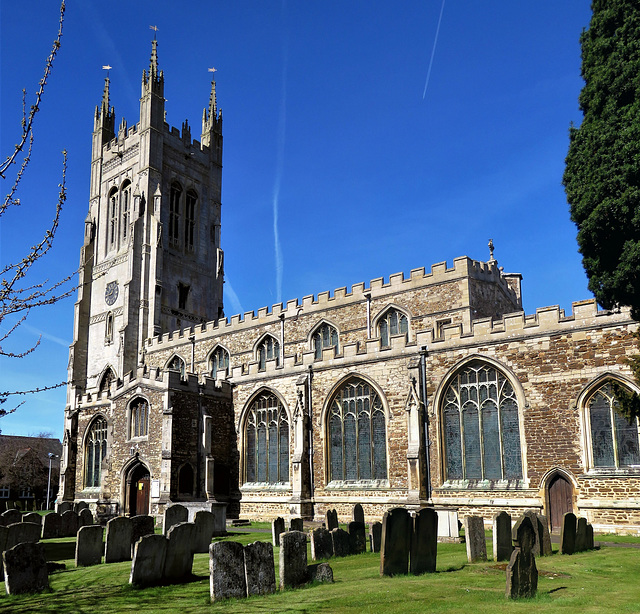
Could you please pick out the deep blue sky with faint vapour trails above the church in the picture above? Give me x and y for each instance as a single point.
(327, 129)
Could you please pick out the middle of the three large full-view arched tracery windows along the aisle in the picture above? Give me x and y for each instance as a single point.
(357, 433)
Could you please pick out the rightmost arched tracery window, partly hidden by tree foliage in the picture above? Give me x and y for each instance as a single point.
(614, 440)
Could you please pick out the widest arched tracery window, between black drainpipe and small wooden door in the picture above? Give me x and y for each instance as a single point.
(481, 425)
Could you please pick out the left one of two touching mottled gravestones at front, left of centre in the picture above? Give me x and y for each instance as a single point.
(226, 571)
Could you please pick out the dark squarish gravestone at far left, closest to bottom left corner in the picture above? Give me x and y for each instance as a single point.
(25, 569)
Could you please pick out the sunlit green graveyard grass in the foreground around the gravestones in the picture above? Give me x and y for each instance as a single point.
(596, 581)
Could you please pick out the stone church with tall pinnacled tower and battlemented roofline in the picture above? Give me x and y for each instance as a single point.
(432, 389)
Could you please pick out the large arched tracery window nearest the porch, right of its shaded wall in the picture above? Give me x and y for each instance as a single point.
(266, 441)
